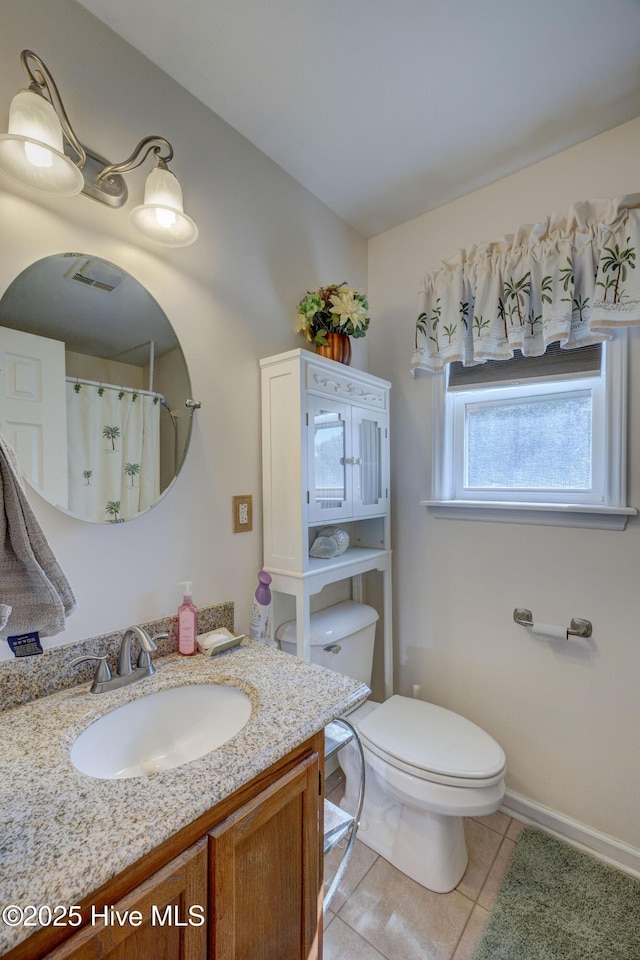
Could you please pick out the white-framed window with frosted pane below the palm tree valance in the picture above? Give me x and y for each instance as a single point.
(534, 440)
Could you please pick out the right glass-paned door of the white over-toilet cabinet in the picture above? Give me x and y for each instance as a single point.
(370, 445)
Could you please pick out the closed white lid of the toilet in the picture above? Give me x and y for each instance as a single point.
(431, 739)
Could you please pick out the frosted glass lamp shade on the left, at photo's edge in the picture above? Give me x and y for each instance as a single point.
(32, 151)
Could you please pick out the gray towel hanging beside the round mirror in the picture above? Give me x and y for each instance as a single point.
(34, 592)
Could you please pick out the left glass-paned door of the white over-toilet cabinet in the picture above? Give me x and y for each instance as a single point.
(330, 469)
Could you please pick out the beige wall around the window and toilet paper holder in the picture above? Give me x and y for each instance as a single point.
(567, 718)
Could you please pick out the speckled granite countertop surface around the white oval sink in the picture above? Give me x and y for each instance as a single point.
(64, 834)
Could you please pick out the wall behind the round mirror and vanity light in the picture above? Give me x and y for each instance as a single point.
(231, 298)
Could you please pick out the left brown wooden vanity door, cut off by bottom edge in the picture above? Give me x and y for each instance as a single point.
(162, 919)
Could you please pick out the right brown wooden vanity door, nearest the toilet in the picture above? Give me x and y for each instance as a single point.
(264, 873)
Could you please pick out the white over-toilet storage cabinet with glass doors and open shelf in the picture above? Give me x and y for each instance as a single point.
(325, 461)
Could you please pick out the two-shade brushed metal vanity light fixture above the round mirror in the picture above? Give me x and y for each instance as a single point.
(42, 151)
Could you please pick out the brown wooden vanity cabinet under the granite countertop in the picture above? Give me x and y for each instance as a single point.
(253, 862)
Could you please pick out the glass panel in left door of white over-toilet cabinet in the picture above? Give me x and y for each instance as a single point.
(329, 447)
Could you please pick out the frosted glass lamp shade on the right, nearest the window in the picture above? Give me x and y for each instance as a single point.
(161, 216)
